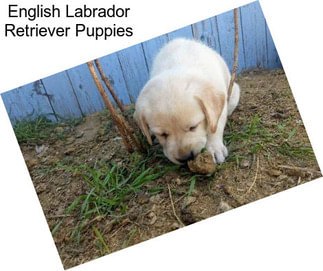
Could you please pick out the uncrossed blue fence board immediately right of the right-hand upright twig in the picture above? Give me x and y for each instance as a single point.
(254, 36)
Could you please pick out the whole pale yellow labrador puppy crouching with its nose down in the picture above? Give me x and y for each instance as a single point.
(184, 103)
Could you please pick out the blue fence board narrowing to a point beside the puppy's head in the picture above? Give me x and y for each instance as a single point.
(134, 69)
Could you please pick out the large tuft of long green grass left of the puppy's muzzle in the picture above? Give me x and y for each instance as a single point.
(108, 185)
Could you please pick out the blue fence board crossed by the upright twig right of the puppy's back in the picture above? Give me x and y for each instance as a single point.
(225, 23)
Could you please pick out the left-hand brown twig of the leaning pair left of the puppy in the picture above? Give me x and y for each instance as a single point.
(114, 115)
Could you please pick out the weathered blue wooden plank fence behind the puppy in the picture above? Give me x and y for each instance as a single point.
(72, 93)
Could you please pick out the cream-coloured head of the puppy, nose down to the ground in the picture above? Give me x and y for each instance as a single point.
(180, 111)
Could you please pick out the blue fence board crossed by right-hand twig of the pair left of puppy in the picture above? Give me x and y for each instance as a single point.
(111, 66)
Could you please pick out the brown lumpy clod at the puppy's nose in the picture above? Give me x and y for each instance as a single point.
(203, 163)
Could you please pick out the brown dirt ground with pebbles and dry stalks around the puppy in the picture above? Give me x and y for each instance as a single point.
(269, 152)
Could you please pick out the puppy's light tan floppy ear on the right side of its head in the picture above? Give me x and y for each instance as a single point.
(212, 104)
